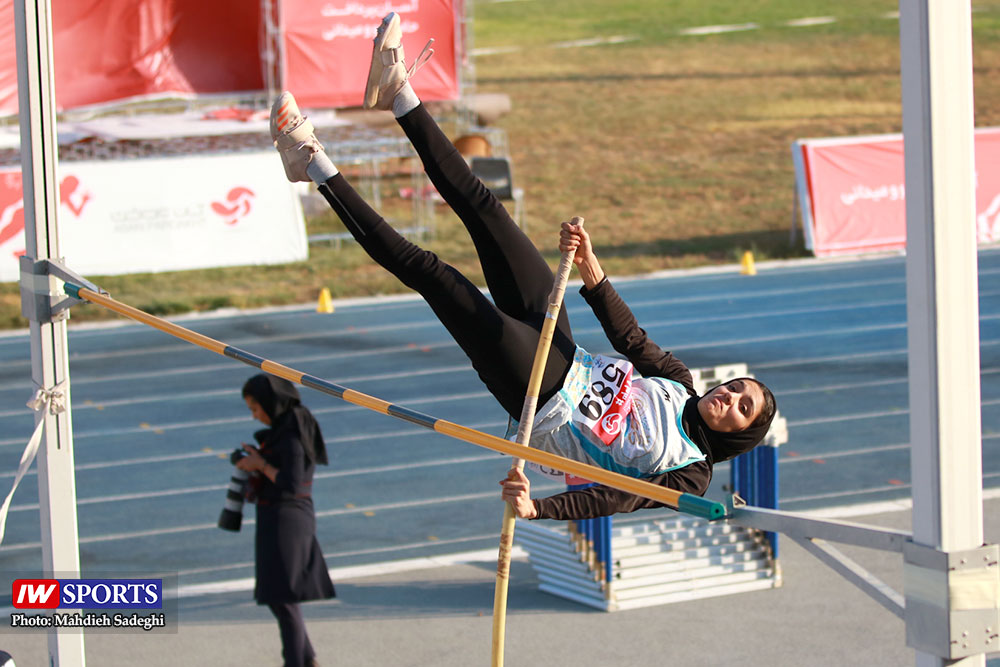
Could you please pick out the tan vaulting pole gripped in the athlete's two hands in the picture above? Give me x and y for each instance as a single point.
(523, 436)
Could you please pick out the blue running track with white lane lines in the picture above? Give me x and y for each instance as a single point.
(155, 418)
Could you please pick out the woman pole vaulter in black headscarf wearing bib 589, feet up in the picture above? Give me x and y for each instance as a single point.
(639, 416)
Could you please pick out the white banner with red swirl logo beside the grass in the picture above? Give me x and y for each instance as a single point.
(166, 214)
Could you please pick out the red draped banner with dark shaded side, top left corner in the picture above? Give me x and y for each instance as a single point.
(112, 50)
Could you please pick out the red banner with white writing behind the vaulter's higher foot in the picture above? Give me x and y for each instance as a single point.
(328, 48)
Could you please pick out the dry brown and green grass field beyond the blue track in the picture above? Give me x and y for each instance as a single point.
(674, 147)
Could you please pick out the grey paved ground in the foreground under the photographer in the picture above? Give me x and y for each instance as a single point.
(442, 617)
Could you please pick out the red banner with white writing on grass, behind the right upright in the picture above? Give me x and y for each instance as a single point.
(852, 192)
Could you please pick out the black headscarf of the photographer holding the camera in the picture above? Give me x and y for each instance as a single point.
(280, 401)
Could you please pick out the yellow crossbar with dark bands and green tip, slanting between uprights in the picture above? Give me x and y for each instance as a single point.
(684, 502)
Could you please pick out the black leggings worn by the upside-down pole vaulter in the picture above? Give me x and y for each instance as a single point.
(500, 340)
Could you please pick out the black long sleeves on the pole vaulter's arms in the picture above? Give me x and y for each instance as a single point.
(649, 359)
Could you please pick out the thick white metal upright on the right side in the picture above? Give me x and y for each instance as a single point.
(942, 292)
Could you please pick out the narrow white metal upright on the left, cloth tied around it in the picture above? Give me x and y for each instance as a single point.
(49, 365)
